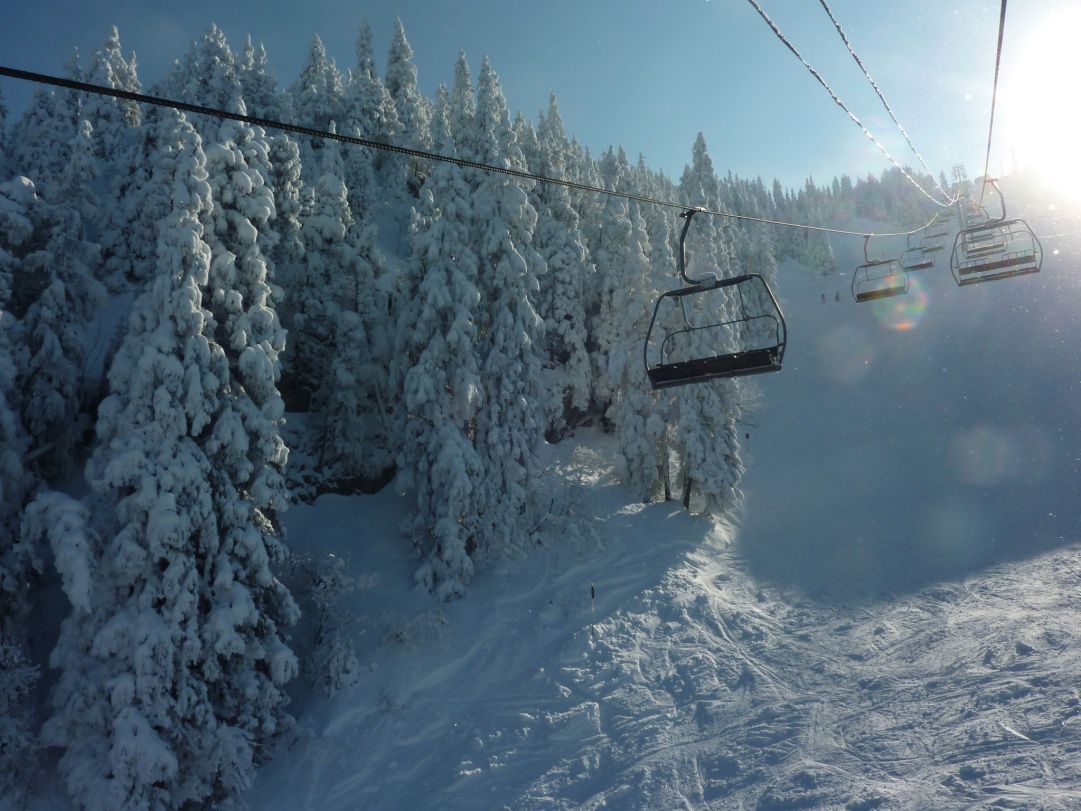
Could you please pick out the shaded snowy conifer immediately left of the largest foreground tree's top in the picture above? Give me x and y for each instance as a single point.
(56, 324)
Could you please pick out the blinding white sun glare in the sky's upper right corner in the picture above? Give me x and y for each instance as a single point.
(1042, 119)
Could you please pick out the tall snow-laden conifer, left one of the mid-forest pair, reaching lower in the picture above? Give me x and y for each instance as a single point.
(442, 388)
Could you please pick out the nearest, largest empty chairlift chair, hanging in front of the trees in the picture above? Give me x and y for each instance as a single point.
(714, 329)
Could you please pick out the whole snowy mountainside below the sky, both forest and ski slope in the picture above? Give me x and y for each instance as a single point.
(314, 460)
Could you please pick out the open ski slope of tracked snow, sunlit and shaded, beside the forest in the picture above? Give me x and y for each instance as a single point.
(892, 624)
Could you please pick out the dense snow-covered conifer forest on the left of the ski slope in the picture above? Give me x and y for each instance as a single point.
(205, 325)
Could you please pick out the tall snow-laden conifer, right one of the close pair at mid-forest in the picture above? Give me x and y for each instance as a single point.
(510, 426)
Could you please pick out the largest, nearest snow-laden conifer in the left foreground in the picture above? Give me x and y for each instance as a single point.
(172, 662)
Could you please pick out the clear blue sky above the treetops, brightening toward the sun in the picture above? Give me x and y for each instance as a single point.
(651, 74)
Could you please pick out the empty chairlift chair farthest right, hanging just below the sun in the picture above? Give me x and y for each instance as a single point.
(997, 249)
